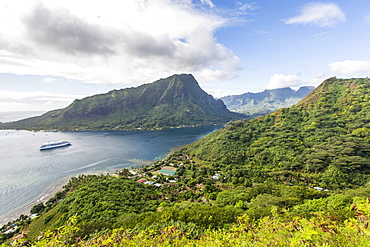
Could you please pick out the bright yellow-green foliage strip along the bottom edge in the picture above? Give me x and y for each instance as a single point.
(268, 231)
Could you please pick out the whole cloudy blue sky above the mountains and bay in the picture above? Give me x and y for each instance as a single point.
(52, 52)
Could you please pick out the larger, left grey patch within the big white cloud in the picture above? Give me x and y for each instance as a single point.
(67, 33)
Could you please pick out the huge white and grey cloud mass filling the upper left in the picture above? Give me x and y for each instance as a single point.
(113, 42)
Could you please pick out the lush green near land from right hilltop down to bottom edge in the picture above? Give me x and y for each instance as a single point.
(296, 177)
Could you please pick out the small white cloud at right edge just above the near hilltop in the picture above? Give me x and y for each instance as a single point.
(350, 68)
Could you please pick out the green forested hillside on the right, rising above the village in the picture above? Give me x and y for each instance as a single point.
(324, 139)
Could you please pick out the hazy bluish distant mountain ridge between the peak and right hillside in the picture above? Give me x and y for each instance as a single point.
(258, 104)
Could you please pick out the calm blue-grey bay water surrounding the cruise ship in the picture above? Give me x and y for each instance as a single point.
(25, 171)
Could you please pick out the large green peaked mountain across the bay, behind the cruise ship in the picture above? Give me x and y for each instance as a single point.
(171, 102)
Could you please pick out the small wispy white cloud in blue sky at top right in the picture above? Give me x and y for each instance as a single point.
(319, 14)
